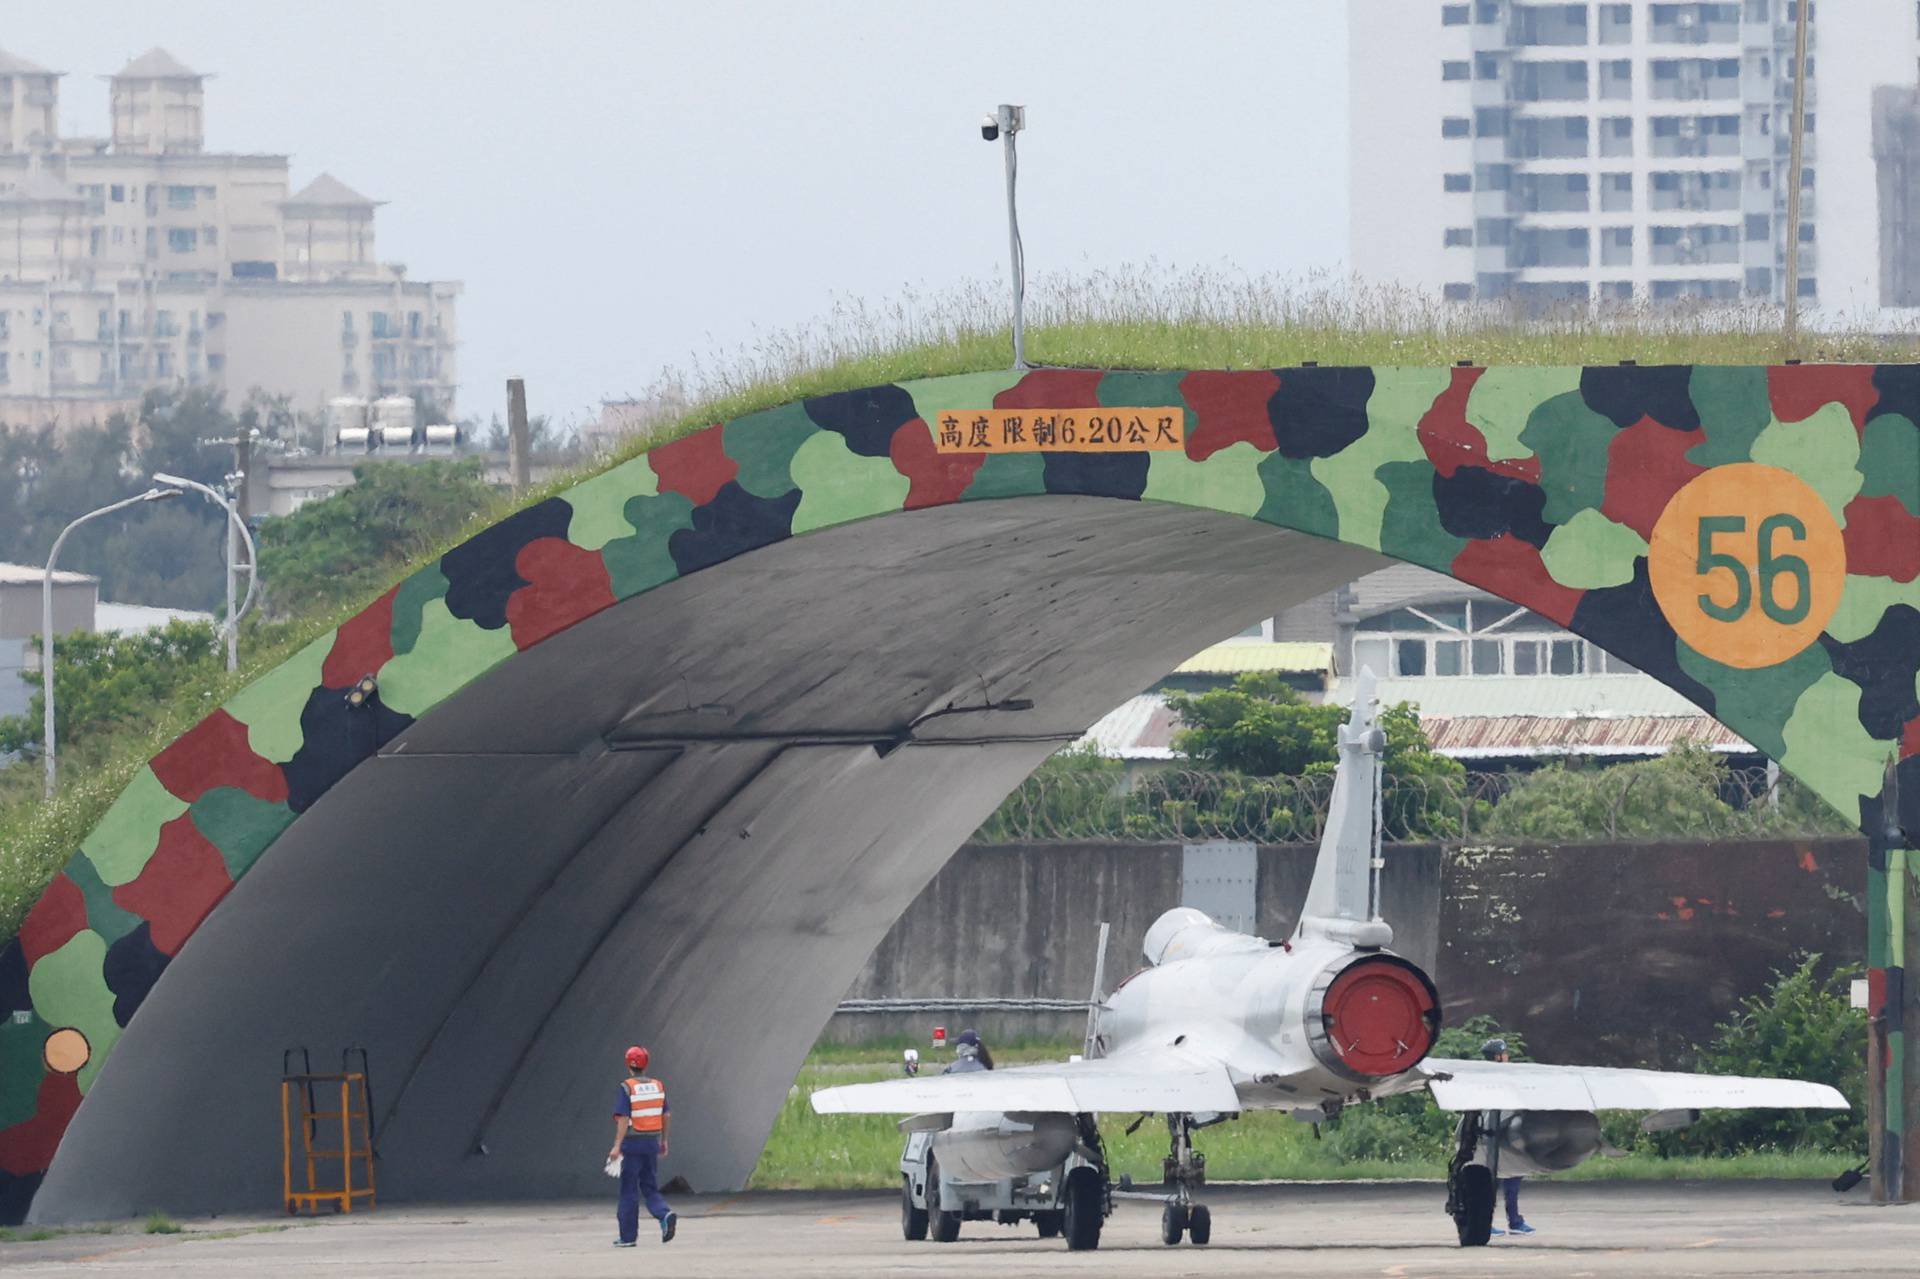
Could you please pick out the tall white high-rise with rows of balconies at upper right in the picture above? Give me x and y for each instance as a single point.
(1598, 153)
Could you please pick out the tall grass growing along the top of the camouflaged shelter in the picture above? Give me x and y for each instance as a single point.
(1136, 318)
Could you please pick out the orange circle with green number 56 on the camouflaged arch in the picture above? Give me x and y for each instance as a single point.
(1748, 566)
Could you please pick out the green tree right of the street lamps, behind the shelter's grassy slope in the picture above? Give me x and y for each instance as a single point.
(350, 544)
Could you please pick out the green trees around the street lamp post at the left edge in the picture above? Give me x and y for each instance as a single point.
(105, 683)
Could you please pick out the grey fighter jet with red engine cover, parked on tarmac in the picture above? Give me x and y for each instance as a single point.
(1222, 1023)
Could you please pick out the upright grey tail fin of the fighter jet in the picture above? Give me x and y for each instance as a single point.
(1343, 900)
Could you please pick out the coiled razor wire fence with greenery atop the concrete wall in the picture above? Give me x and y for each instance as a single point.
(1556, 806)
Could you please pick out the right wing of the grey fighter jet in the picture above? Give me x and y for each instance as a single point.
(1533, 1086)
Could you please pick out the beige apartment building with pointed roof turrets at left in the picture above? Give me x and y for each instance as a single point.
(147, 262)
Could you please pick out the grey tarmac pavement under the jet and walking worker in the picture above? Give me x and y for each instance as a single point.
(1337, 1230)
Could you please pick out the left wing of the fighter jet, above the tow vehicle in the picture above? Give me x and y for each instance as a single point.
(1151, 1082)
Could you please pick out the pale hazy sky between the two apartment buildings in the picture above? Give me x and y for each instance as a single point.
(627, 183)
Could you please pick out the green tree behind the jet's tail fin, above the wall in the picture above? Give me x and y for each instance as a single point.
(1264, 729)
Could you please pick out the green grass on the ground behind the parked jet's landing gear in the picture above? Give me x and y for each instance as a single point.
(863, 1151)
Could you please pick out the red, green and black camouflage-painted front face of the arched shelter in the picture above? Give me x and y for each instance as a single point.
(1539, 485)
